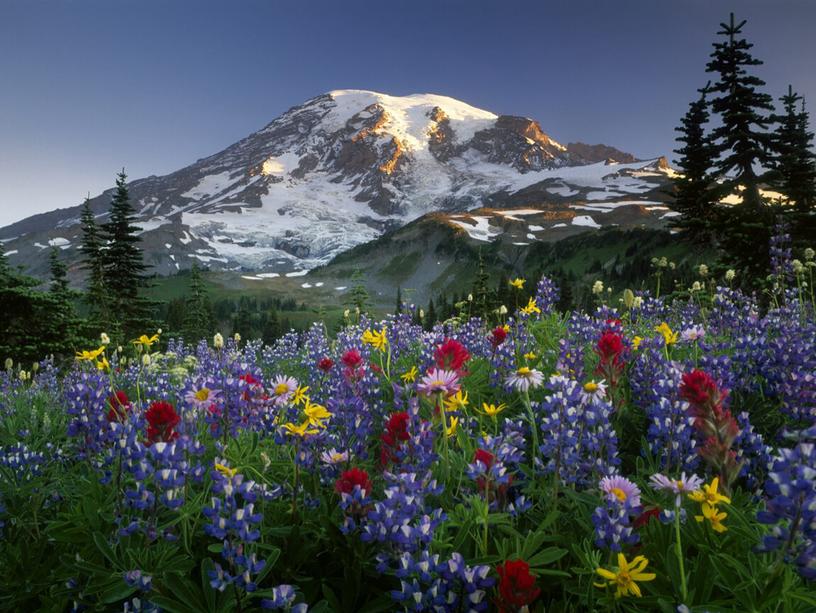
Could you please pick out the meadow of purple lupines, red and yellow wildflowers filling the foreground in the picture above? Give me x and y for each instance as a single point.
(652, 455)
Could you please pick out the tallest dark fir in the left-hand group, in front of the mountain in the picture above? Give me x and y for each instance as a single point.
(124, 267)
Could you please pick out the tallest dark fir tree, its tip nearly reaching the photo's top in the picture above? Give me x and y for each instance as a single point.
(741, 139)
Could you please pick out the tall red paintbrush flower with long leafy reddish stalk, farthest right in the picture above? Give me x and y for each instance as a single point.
(713, 422)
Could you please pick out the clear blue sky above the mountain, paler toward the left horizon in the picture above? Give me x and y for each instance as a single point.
(90, 86)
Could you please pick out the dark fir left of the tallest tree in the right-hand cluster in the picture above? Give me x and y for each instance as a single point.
(694, 193)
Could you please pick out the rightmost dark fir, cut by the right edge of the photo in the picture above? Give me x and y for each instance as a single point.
(795, 167)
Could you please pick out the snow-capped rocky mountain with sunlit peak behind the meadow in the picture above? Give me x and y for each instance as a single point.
(339, 170)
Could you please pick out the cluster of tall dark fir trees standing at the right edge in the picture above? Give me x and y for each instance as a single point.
(746, 166)
